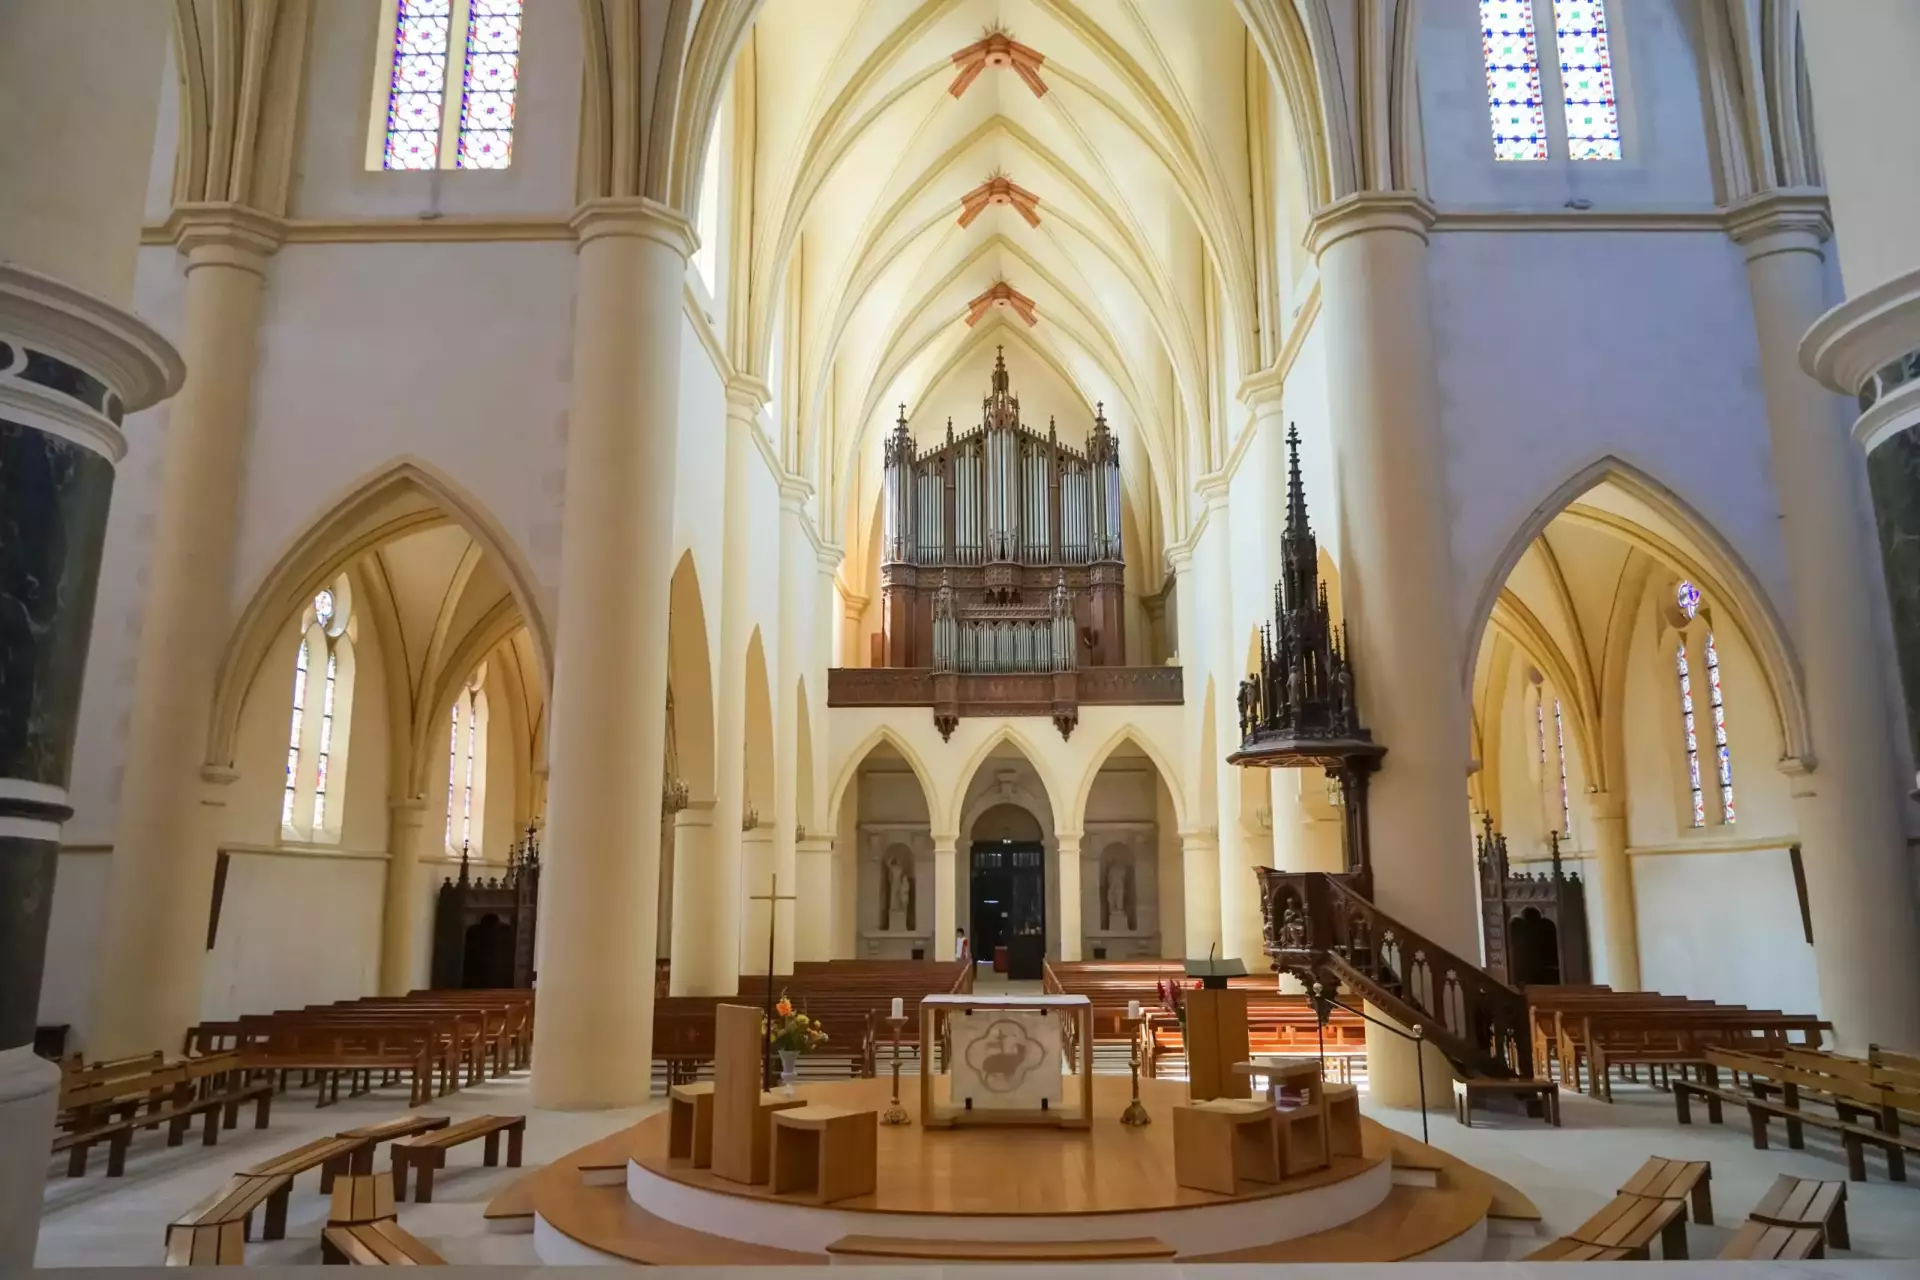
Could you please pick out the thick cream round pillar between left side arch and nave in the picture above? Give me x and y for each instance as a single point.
(602, 876)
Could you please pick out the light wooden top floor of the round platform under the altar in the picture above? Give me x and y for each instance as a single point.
(1107, 1168)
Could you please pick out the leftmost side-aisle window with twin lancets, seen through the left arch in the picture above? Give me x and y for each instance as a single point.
(316, 746)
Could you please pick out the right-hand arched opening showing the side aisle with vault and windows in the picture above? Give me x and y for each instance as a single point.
(1631, 703)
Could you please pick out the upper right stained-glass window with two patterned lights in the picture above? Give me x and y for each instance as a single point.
(1579, 64)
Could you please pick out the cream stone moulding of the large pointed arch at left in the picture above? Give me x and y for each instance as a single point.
(404, 496)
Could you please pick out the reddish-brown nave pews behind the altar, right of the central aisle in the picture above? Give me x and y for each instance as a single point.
(1276, 1024)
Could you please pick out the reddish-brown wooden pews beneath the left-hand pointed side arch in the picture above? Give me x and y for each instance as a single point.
(435, 1039)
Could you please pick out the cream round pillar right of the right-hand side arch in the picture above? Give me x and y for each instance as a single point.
(1850, 807)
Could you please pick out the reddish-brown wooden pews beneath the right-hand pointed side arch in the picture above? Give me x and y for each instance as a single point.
(1587, 1035)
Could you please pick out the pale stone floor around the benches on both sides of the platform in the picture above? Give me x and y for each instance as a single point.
(1570, 1173)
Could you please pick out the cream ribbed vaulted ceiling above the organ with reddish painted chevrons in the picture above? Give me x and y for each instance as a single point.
(932, 179)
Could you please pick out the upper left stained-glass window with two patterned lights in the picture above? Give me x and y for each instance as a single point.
(425, 122)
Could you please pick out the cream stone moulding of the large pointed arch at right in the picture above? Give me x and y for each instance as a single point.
(1712, 561)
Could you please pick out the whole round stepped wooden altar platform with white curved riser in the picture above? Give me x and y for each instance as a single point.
(1042, 1187)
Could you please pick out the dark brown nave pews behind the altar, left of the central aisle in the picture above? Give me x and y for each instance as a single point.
(848, 997)
